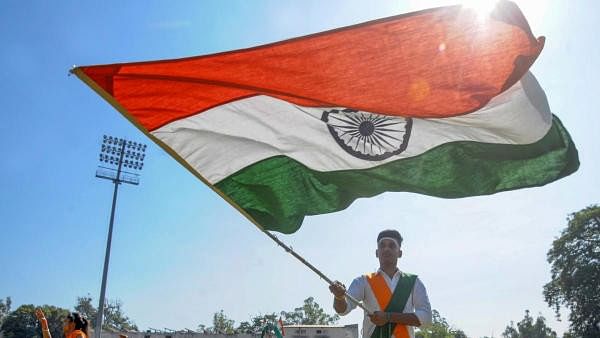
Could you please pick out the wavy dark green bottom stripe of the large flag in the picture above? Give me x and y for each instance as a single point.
(279, 191)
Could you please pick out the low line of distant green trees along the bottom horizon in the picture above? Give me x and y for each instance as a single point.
(22, 322)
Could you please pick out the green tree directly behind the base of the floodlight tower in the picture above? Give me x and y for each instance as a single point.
(114, 318)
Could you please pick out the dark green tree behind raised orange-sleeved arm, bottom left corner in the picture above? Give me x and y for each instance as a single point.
(23, 323)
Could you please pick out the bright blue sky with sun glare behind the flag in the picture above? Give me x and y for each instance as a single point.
(180, 253)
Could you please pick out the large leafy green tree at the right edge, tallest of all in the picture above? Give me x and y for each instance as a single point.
(575, 267)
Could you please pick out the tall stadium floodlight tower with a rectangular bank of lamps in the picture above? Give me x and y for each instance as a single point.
(116, 155)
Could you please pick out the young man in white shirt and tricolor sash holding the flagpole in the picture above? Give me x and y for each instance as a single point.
(399, 300)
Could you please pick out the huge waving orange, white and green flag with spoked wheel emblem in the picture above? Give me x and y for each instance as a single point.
(437, 102)
